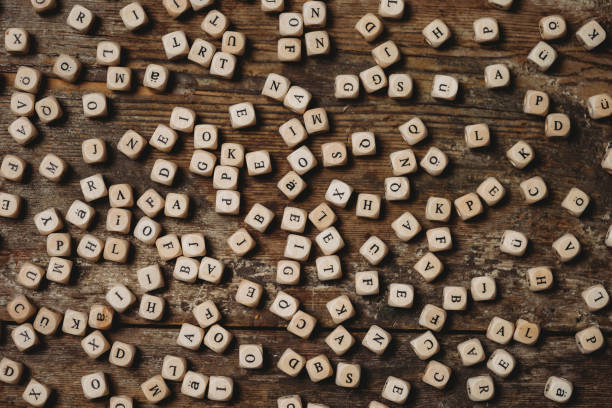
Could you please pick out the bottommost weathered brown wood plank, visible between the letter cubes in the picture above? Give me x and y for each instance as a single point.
(554, 355)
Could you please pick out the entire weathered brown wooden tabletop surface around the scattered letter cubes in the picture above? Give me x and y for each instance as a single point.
(60, 362)
